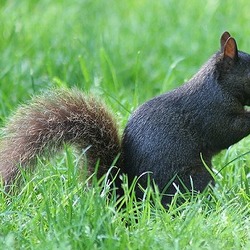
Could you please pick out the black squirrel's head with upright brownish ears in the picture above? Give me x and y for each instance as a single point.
(233, 68)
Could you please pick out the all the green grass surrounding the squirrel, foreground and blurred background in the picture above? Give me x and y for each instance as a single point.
(124, 52)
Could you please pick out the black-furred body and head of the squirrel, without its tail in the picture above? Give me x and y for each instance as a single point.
(167, 135)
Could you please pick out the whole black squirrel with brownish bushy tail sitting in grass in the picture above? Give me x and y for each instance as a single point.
(164, 137)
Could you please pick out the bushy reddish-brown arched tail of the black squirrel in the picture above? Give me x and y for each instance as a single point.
(58, 117)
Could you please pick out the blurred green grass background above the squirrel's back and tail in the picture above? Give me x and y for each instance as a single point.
(130, 50)
